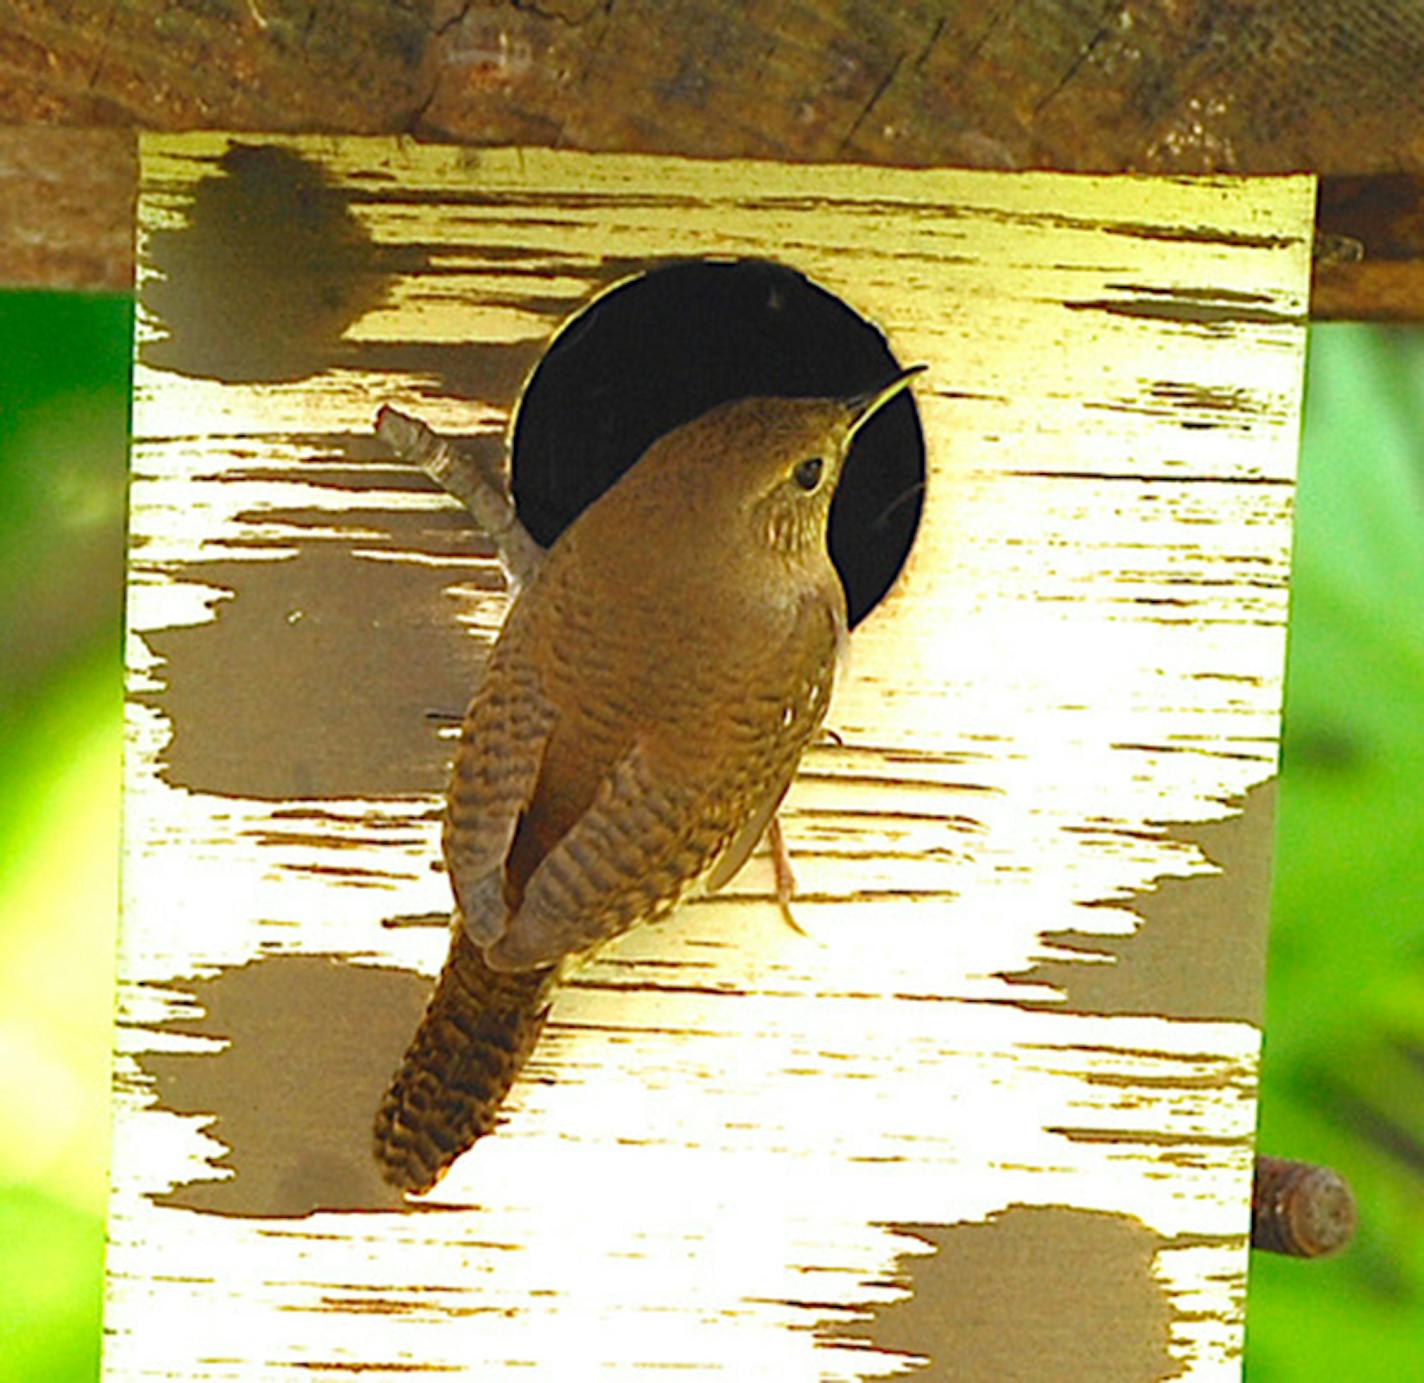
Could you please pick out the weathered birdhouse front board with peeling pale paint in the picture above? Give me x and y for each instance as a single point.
(993, 1116)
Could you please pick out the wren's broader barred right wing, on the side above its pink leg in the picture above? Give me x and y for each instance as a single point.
(650, 835)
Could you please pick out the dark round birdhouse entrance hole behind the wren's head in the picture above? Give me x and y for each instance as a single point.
(664, 348)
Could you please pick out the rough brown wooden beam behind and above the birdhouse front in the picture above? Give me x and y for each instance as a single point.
(1197, 86)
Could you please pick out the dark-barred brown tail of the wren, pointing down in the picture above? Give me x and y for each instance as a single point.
(478, 1033)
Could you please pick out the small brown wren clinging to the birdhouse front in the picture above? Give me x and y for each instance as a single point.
(640, 721)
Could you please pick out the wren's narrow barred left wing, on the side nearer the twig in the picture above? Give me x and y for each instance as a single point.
(496, 771)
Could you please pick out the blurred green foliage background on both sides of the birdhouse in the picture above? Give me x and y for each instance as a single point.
(1345, 1050)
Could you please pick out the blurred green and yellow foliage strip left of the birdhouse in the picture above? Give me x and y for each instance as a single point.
(63, 474)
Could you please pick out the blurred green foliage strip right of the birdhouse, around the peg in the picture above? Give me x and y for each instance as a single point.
(1344, 1079)
